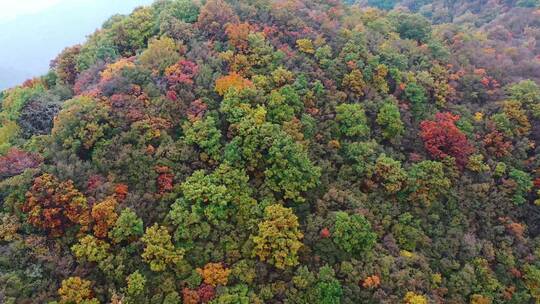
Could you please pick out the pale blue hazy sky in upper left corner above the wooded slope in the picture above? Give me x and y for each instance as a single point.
(33, 32)
